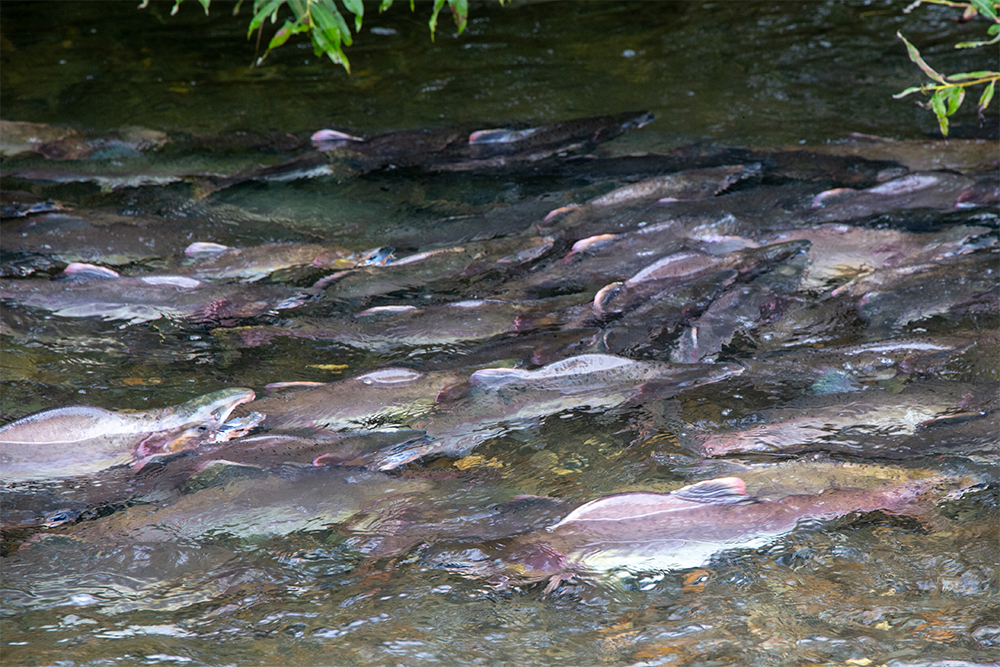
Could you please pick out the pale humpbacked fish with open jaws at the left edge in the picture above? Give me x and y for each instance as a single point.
(82, 440)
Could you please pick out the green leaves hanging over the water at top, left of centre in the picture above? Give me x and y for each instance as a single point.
(324, 21)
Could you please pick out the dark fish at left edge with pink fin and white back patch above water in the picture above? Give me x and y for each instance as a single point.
(91, 291)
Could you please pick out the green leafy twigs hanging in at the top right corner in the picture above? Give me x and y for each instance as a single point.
(948, 91)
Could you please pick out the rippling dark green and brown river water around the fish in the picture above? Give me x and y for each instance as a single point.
(870, 589)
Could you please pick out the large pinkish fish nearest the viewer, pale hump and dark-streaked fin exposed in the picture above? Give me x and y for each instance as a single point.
(646, 532)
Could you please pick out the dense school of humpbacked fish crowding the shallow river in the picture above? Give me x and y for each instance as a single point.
(855, 290)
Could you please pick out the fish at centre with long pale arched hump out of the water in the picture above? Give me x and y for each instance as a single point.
(497, 400)
